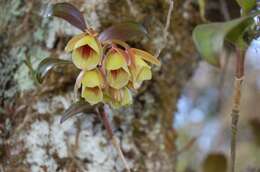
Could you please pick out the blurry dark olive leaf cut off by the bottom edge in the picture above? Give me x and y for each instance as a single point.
(215, 162)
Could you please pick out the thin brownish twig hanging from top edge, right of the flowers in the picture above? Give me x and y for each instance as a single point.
(166, 28)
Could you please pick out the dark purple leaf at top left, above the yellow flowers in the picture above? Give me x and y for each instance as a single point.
(69, 13)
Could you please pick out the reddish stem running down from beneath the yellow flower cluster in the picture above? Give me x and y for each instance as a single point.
(114, 141)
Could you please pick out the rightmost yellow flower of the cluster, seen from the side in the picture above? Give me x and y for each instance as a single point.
(139, 69)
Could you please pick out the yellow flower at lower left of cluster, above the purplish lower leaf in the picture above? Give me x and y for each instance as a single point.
(92, 83)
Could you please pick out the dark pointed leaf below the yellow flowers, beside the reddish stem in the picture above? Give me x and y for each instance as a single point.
(75, 108)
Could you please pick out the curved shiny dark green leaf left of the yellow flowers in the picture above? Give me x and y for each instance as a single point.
(46, 65)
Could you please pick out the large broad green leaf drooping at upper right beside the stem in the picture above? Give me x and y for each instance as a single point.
(209, 38)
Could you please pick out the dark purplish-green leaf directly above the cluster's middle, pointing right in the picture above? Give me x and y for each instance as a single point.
(123, 31)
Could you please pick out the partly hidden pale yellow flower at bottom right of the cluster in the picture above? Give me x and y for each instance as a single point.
(118, 97)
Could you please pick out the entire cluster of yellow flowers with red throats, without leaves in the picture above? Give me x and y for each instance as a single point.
(109, 69)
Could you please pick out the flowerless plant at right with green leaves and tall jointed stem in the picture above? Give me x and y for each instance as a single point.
(210, 40)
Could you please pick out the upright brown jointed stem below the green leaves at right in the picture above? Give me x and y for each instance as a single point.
(239, 77)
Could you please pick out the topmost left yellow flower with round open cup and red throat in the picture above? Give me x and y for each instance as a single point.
(86, 51)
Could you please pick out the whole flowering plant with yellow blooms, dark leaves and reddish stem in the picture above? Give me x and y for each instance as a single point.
(109, 67)
